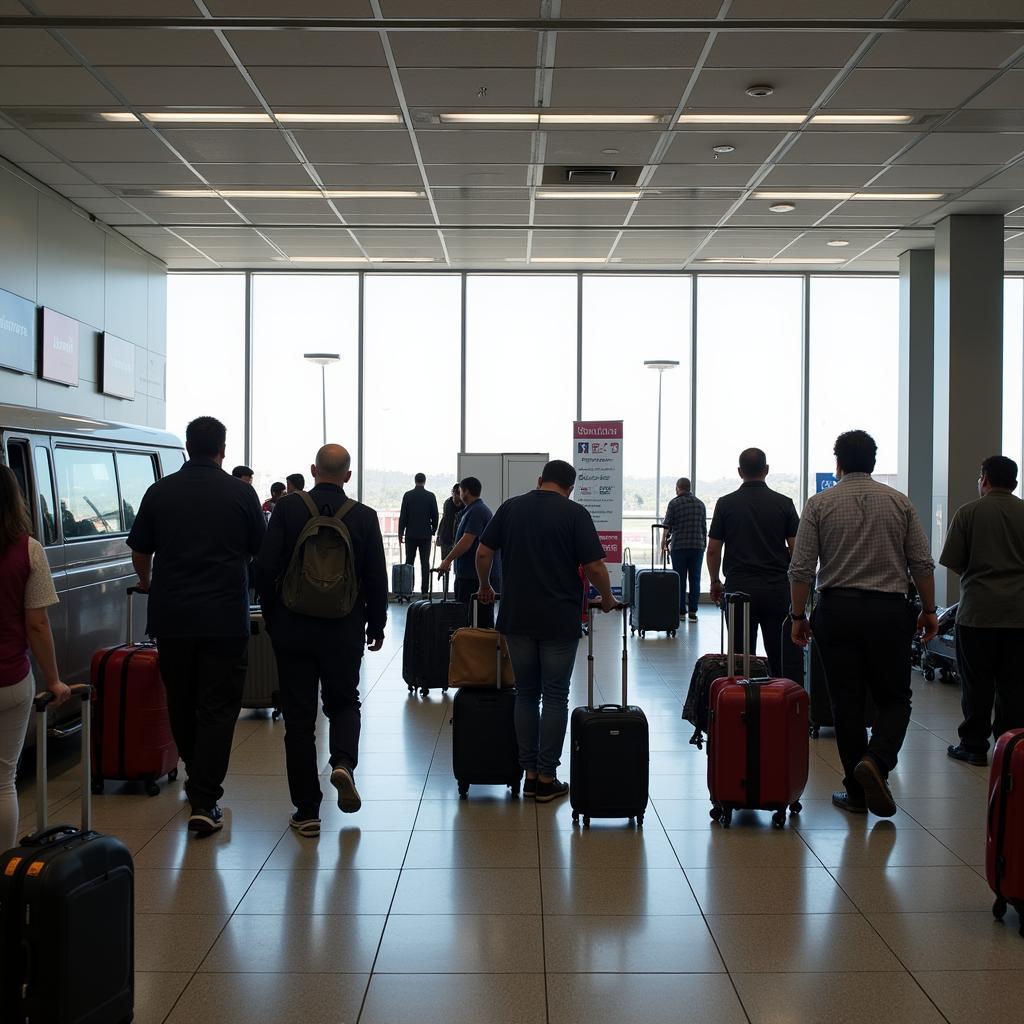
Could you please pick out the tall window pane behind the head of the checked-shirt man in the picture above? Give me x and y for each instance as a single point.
(855, 370)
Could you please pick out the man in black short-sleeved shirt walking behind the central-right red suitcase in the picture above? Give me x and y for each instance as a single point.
(757, 527)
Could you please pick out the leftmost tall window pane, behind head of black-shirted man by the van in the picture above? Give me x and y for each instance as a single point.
(206, 354)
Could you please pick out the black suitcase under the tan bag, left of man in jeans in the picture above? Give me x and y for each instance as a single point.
(485, 748)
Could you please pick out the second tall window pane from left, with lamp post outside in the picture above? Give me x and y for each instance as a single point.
(294, 315)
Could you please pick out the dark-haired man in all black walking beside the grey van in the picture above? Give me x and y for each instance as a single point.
(192, 541)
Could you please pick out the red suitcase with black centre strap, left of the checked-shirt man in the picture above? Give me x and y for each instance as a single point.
(758, 739)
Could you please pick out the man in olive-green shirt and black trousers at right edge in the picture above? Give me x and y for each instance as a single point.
(986, 546)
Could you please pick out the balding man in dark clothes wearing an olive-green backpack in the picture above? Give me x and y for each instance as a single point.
(323, 583)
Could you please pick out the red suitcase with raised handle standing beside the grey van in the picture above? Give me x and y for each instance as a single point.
(132, 740)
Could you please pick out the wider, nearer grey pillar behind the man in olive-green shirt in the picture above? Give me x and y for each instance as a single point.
(968, 414)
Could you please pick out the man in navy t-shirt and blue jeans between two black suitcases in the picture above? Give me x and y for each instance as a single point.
(543, 538)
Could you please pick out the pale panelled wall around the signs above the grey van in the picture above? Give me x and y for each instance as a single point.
(54, 255)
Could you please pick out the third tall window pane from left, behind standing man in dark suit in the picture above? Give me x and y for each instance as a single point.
(412, 386)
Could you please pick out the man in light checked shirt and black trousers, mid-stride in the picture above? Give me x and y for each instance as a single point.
(862, 538)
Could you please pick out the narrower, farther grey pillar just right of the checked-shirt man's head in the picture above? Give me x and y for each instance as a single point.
(917, 376)
